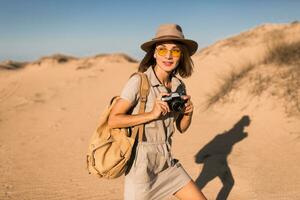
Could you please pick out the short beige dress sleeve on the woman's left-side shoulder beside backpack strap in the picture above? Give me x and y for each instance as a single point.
(130, 91)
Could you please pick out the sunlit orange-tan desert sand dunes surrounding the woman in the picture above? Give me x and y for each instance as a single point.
(49, 109)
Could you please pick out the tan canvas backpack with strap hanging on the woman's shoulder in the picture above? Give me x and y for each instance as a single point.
(110, 149)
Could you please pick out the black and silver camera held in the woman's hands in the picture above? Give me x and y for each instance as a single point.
(175, 101)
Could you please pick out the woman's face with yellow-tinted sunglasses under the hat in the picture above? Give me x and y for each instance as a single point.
(167, 56)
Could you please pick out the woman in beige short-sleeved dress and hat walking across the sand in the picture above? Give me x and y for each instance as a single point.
(155, 174)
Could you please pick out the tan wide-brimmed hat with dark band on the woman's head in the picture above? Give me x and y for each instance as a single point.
(170, 32)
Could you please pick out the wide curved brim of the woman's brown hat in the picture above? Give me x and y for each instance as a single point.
(191, 44)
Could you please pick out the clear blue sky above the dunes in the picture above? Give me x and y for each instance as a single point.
(34, 28)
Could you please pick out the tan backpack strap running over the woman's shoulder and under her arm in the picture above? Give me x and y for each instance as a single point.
(144, 91)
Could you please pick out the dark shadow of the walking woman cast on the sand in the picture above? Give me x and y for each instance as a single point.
(214, 157)
